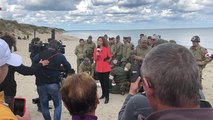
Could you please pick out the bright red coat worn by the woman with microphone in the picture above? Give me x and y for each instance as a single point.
(101, 65)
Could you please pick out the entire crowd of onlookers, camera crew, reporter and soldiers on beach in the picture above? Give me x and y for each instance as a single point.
(157, 66)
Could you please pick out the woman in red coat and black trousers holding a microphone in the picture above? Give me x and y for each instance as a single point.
(102, 59)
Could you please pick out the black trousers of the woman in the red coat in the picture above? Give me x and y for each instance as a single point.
(104, 80)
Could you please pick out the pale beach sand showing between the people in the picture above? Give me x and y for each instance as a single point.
(26, 84)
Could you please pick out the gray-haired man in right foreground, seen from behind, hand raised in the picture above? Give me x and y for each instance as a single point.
(170, 78)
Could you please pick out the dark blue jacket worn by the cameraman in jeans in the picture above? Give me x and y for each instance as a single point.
(51, 73)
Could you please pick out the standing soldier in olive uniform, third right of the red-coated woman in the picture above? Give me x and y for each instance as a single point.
(126, 49)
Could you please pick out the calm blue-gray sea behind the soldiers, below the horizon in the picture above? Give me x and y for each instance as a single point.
(181, 35)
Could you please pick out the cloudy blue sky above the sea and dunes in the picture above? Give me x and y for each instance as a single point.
(110, 14)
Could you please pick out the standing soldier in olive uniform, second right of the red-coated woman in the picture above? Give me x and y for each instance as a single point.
(118, 49)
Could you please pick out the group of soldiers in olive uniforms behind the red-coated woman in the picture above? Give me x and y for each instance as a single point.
(126, 58)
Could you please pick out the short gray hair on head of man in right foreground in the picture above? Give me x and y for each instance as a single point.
(173, 73)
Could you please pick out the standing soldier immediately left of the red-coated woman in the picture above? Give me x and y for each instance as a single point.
(90, 45)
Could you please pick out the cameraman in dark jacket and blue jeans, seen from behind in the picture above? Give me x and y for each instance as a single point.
(48, 78)
